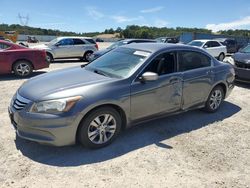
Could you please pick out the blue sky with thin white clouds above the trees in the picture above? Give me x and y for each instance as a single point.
(97, 15)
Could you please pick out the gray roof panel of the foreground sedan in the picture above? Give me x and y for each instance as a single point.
(154, 47)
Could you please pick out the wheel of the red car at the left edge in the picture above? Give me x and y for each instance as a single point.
(22, 68)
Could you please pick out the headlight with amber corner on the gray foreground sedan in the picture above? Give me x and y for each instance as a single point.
(55, 106)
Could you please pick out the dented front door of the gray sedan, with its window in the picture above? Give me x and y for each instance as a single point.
(159, 96)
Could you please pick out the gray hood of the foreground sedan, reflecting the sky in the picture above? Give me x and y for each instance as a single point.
(63, 83)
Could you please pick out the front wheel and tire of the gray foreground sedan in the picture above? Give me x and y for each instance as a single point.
(99, 128)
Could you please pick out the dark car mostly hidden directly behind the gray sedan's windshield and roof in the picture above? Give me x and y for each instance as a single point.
(99, 53)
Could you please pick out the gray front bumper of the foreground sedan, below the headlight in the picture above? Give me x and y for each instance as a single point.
(44, 128)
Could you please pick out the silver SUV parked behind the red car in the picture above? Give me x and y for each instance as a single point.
(69, 47)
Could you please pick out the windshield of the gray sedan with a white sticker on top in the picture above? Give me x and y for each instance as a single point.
(119, 63)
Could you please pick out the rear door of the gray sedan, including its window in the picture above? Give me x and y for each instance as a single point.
(197, 77)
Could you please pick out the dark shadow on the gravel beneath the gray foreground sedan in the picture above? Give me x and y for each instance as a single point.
(153, 132)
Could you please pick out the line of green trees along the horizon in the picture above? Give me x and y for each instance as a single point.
(131, 31)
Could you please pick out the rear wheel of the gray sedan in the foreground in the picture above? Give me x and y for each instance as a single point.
(215, 99)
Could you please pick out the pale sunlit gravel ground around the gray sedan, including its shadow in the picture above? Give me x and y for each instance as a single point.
(193, 149)
